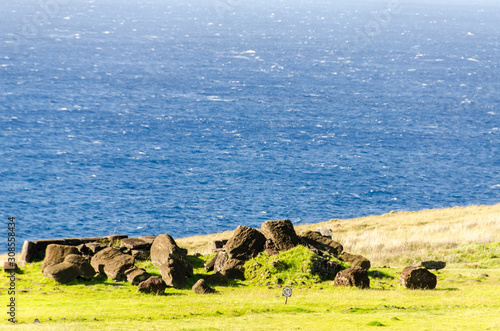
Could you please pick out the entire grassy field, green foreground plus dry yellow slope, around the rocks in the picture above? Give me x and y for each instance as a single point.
(467, 296)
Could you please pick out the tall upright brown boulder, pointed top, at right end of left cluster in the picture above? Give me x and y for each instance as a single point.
(172, 261)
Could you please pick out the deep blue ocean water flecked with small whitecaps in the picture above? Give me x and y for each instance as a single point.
(149, 117)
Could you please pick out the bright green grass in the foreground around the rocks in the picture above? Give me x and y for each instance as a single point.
(465, 298)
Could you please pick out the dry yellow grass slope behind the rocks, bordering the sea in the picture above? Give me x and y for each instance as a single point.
(397, 237)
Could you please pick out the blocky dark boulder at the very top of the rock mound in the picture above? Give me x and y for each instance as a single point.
(281, 233)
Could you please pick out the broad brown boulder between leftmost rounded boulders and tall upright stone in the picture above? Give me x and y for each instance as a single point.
(113, 263)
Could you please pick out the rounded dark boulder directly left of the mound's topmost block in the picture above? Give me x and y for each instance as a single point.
(245, 243)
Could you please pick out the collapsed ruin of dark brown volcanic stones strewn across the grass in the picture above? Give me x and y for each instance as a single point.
(65, 260)
